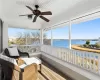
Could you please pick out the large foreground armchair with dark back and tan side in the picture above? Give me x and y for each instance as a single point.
(14, 72)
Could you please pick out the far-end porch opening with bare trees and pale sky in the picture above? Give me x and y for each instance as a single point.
(19, 36)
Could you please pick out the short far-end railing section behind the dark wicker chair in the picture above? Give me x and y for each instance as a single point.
(28, 48)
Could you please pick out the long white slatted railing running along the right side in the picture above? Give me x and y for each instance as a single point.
(86, 60)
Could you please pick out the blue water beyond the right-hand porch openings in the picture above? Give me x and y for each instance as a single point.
(65, 43)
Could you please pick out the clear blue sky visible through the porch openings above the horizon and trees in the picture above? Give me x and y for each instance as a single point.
(84, 30)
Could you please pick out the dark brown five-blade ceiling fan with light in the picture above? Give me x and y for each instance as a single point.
(37, 13)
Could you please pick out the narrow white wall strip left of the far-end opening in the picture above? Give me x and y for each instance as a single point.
(5, 35)
